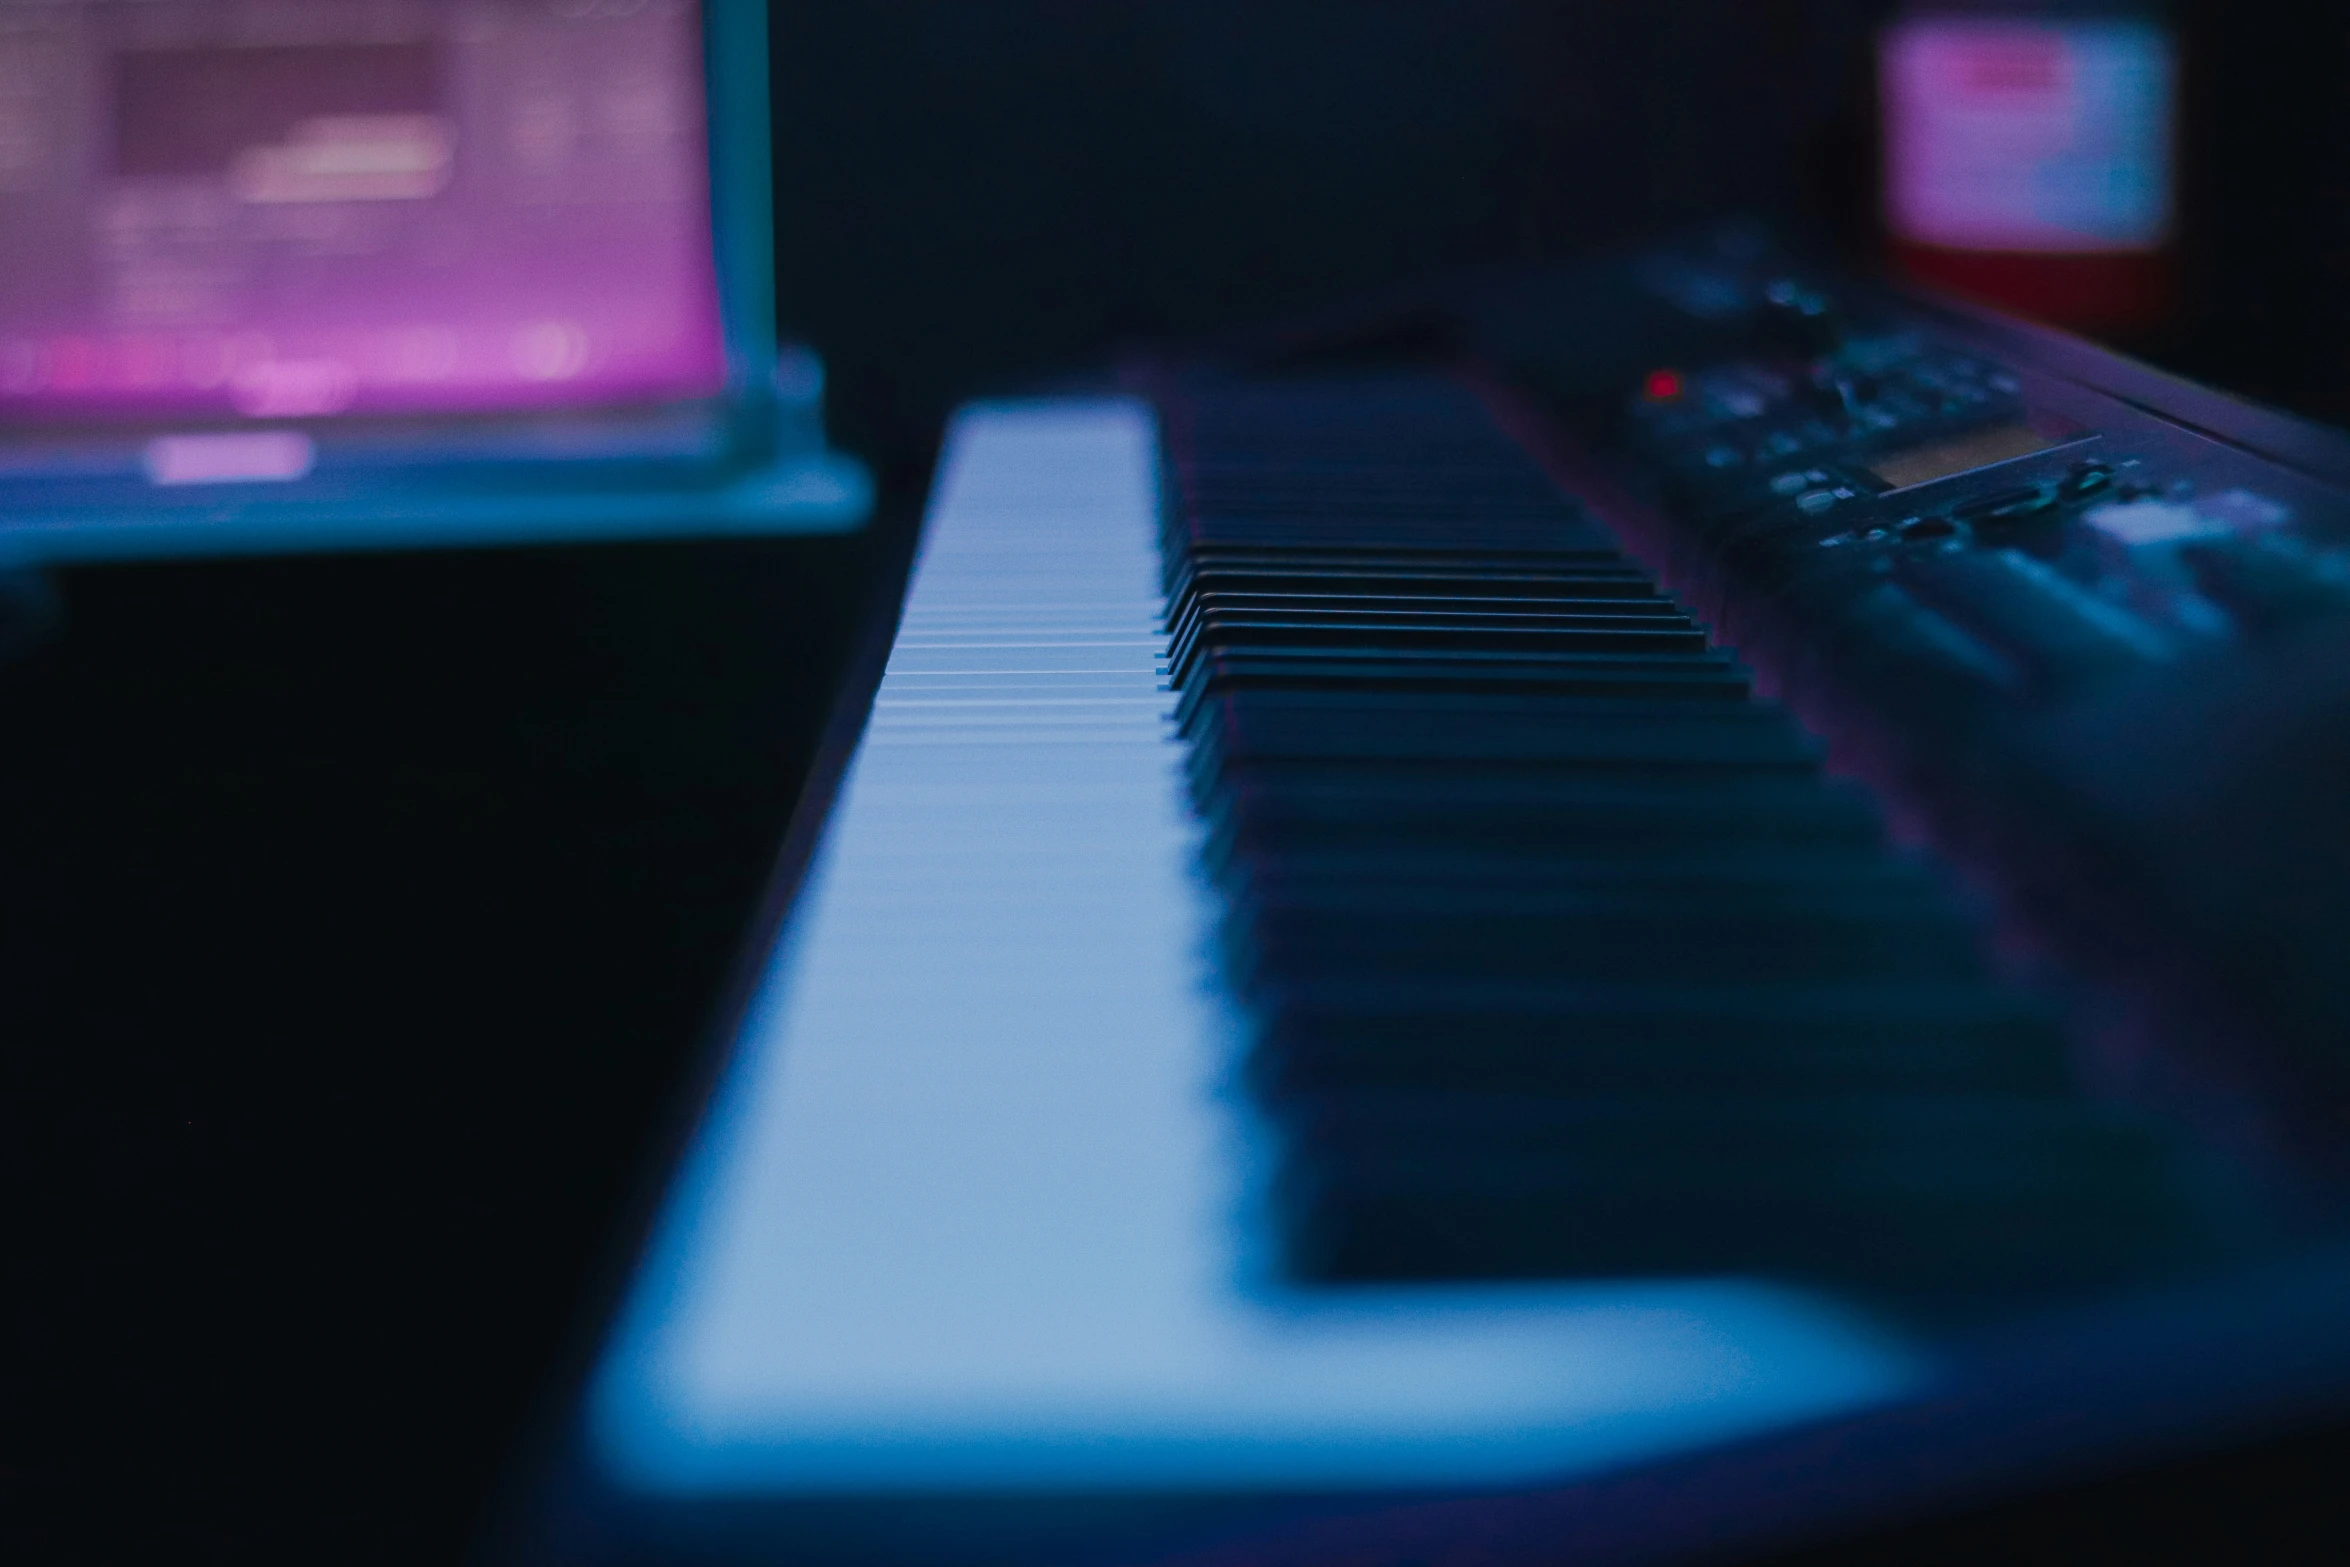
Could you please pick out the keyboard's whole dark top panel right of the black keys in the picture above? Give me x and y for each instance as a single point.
(2076, 621)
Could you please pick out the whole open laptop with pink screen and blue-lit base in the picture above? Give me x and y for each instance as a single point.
(394, 274)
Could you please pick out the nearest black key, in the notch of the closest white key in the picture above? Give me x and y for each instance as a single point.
(1876, 1190)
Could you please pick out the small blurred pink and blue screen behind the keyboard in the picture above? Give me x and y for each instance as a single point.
(2029, 135)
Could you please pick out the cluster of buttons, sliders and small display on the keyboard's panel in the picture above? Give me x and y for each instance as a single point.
(2060, 534)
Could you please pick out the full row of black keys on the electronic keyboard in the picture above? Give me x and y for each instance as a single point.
(1564, 955)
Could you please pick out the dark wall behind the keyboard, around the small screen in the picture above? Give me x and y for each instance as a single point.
(988, 189)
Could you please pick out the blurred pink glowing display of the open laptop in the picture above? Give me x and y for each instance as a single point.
(351, 208)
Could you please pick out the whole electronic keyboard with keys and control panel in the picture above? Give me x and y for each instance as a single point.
(1411, 960)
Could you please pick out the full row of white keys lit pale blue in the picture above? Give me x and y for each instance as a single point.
(976, 1202)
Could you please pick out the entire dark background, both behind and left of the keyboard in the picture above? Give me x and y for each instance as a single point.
(361, 920)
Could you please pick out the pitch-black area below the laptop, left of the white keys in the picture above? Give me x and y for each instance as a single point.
(361, 924)
